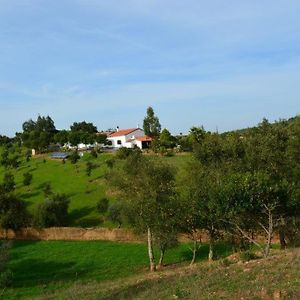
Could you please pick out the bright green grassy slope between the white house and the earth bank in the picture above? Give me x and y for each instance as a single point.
(84, 191)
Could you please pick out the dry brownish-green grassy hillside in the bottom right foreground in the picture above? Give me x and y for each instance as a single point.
(277, 277)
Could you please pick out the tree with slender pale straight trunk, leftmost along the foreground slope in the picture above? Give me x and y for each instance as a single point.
(147, 188)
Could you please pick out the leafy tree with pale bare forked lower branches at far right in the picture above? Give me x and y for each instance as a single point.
(253, 202)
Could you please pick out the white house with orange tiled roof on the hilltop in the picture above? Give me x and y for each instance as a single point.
(129, 138)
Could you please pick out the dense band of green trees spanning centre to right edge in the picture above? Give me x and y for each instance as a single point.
(238, 186)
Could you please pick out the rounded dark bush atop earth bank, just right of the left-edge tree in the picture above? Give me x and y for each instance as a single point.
(53, 212)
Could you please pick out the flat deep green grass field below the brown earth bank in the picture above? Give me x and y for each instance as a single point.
(45, 266)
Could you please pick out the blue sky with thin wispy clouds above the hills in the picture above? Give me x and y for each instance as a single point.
(221, 64)
